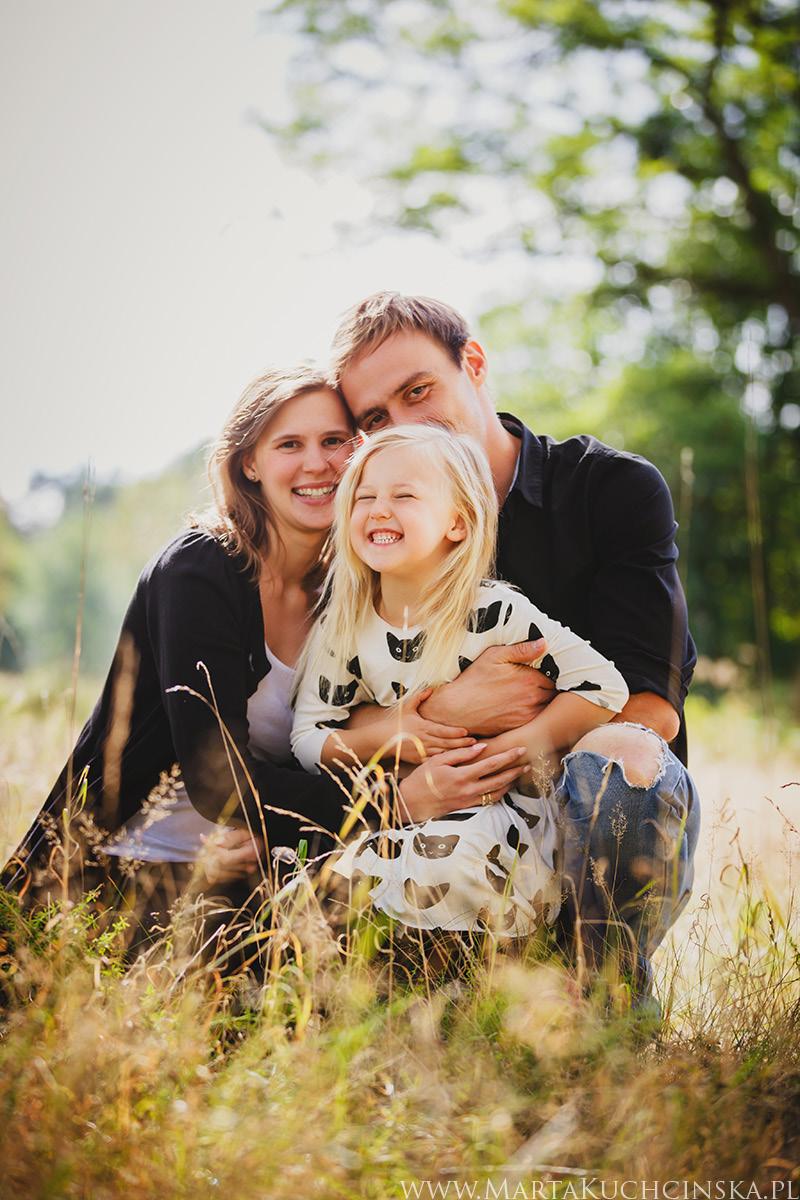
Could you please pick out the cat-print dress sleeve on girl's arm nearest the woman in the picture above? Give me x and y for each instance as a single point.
(324, 700)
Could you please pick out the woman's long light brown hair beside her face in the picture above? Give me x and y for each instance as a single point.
(242, 519)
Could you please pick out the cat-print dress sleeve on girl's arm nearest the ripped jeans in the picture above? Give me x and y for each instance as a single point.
(570, 662)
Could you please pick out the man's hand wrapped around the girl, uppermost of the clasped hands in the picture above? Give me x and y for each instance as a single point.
(498, 693)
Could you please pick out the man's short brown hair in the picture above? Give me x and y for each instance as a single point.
(369, 325)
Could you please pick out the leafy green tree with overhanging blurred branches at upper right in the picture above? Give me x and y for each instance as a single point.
(659, 142)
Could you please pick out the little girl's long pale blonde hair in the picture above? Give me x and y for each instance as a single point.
(446, 604)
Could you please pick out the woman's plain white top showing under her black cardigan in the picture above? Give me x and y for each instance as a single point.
(172, 831)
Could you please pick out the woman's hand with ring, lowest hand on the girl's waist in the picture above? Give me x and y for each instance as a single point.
(458, 781)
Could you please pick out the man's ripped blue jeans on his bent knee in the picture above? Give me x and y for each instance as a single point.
(628, 859)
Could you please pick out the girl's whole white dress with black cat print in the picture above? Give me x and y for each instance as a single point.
(494, 867)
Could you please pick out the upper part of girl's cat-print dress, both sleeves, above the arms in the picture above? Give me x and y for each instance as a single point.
(382, 665)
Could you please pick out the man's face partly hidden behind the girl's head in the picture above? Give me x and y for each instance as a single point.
(412, 380)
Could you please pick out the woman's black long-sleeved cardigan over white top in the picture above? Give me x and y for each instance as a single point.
(195, 608)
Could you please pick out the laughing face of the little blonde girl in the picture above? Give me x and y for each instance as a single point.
(404, 521)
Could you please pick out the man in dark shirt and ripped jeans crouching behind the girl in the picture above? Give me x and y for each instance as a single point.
(588, 535)
